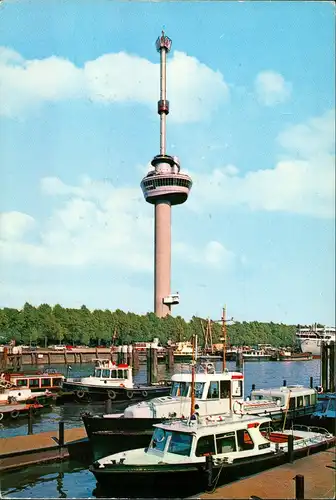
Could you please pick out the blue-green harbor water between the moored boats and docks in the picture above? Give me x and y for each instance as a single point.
(70, 479)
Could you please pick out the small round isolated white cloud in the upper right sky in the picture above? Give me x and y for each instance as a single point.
(271, 88)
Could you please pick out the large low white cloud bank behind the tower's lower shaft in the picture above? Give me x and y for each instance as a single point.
(96, 223)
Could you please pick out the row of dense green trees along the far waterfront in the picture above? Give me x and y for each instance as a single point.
(46, 325)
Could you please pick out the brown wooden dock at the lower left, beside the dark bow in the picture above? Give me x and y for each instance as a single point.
(20, 451)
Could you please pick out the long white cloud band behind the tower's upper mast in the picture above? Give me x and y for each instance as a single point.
(194, 89)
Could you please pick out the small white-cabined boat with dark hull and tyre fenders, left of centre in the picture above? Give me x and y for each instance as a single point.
(111, 381)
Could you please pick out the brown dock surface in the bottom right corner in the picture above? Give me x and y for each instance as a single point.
(319, 480)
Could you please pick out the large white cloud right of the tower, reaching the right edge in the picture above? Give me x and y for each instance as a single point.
(304, 184)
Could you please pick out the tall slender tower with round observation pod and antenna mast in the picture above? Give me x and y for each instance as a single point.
(163, 187)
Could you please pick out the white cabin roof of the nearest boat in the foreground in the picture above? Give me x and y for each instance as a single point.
(217, 423)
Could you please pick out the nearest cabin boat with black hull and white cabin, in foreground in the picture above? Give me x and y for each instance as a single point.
(179, 452)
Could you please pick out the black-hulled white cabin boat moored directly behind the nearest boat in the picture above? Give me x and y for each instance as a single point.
(215, 393)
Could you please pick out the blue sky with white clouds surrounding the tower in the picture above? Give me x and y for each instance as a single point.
(251, 87)
